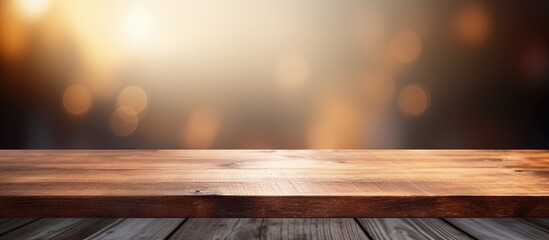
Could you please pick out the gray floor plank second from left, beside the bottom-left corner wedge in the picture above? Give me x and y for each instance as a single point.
(55, 228)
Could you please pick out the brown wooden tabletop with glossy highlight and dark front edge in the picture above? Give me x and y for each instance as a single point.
(274, 183)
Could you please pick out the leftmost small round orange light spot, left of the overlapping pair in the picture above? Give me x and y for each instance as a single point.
(77, 99)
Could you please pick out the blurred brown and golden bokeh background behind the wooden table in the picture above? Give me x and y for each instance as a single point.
(274, 74)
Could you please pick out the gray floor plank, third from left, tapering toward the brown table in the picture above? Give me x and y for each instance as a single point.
(137, 229)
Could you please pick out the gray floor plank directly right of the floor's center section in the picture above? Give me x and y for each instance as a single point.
(410, 228)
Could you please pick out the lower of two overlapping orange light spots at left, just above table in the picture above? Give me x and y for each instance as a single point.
(124, 121)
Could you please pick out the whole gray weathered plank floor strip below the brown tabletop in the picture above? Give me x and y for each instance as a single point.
(274, 228)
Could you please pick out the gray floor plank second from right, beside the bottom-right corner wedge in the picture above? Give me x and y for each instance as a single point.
(499, 229)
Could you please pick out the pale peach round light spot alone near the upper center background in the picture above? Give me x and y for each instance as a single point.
(292, 72)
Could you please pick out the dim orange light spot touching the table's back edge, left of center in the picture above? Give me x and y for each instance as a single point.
(201, 128)
